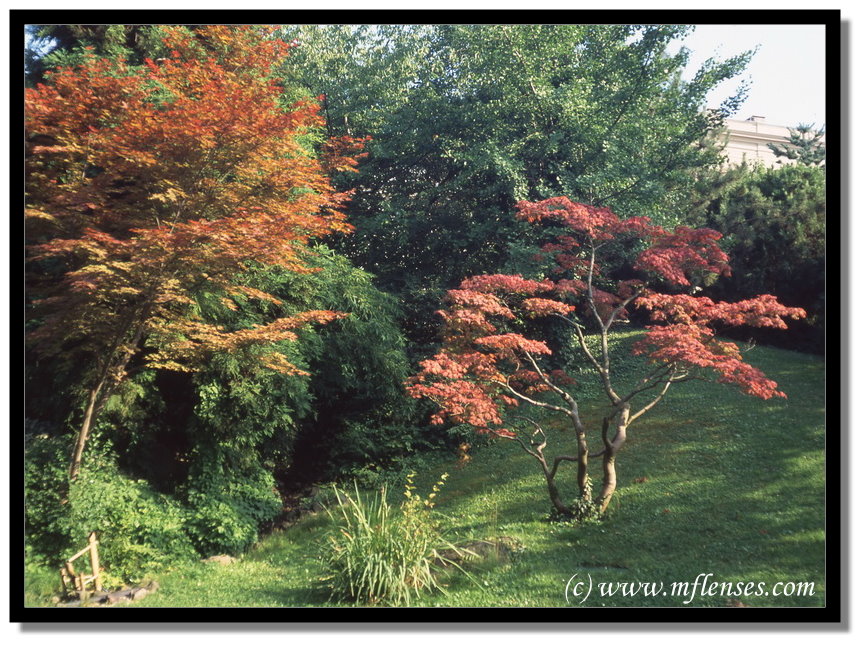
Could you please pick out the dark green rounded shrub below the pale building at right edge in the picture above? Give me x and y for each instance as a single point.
(774, 226)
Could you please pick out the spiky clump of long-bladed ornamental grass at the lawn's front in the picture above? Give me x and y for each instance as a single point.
(383, 553)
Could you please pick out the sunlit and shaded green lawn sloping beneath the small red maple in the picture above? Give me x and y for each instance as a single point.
(711, 481)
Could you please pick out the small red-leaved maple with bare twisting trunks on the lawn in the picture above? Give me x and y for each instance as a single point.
(487, 365)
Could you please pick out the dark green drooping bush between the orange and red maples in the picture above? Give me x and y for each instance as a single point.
(360, 411)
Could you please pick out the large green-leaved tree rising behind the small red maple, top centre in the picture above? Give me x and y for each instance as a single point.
(469, 119)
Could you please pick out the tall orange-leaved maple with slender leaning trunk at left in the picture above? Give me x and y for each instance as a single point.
(150, 185)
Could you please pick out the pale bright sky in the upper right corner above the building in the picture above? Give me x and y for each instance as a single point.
(787, 75)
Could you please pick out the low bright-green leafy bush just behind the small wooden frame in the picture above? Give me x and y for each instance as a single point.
(139, 530)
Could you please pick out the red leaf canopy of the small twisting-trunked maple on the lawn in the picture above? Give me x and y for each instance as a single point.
(478, 374)
